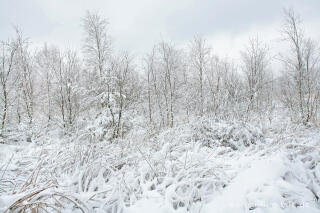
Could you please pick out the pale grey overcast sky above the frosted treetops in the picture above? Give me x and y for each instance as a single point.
(136, 25)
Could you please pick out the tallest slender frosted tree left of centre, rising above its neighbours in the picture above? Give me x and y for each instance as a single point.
(97, 52)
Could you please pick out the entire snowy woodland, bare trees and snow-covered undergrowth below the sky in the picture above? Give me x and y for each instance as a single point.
(181, 129)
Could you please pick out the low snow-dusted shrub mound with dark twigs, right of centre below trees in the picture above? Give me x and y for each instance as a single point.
(214, 133)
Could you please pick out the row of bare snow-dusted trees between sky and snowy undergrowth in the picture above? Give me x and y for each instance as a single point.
(51, 86)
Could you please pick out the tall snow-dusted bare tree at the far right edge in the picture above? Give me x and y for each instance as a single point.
(301, 87)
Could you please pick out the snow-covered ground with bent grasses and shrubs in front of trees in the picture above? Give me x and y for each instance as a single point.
(204, 166)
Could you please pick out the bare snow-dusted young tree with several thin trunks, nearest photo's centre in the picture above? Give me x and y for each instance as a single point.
(164, 70)
